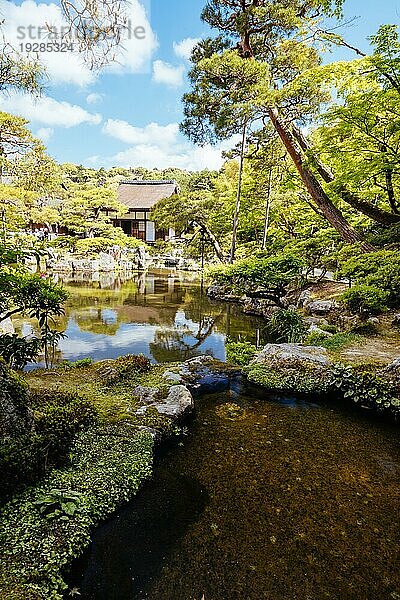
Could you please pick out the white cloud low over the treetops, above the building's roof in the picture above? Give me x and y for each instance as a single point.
(159, 146)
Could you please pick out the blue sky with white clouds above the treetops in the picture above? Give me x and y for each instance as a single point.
(130, 116)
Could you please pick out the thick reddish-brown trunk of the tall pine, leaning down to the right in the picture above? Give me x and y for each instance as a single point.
(313, 186)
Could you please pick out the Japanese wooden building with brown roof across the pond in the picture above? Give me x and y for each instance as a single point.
(140, 197)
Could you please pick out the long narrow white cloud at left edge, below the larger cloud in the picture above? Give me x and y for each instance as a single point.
(47, 111)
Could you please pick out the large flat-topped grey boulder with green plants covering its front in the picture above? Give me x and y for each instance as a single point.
(291, 367)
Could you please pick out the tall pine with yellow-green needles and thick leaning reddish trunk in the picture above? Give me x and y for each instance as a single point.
(228, 87)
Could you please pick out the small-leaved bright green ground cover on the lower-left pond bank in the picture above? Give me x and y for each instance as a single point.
(107, 466)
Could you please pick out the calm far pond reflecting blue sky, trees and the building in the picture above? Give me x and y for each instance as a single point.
(164, 315)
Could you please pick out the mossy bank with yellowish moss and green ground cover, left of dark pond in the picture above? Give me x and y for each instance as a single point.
(45, 525)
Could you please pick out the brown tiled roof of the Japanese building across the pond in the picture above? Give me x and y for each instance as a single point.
(145, 194)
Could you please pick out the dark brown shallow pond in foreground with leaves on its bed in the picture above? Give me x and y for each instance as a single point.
(283, 499)
